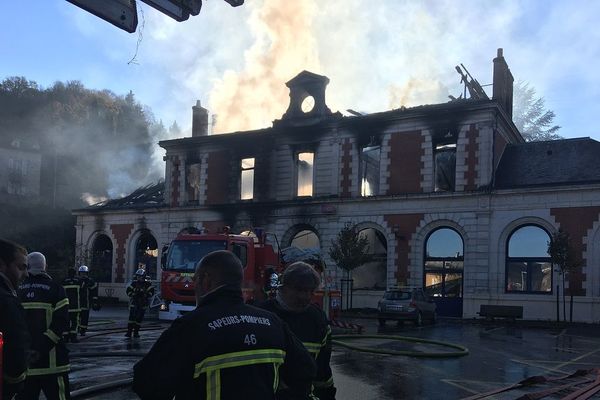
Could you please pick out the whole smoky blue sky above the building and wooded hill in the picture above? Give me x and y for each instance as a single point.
(378, 55)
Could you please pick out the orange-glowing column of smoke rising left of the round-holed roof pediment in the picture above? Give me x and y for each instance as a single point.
(285, 44)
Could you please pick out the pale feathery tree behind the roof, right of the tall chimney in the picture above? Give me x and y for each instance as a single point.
(530, 116)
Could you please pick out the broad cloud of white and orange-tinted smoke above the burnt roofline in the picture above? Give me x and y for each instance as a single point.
(378, 55)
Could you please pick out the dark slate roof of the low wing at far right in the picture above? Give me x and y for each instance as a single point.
(555, 162)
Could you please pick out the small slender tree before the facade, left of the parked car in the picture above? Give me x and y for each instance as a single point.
(349, 250)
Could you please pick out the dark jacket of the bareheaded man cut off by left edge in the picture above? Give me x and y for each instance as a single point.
(15, 337)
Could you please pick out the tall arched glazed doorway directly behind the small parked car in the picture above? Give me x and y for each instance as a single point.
(443, 270)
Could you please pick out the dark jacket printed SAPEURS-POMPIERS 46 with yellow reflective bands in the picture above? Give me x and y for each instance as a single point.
(225, 350)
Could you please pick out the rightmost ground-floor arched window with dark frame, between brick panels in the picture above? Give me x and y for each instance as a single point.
(528, 264)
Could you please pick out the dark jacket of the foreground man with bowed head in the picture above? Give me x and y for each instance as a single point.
(312, 328)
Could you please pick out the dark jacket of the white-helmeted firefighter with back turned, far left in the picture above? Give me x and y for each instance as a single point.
(46, 309)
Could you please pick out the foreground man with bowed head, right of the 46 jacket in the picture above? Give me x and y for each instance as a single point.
(308, 322)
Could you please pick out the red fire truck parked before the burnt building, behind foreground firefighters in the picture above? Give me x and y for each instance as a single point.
(261, 261)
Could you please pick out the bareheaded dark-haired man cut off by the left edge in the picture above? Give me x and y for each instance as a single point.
(13, 269)
